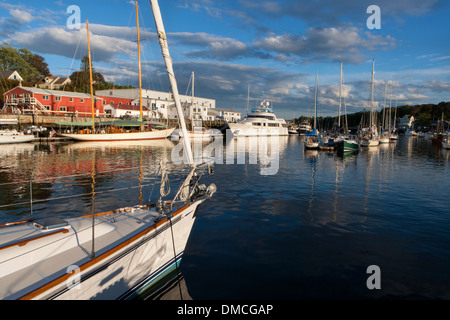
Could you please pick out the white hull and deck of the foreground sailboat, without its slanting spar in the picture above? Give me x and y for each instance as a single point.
(132, 252)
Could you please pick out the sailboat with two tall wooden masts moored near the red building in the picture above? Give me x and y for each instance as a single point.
(118, 130)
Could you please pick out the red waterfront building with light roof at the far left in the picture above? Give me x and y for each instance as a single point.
(36, 100)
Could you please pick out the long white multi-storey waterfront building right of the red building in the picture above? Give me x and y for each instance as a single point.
(161, 105)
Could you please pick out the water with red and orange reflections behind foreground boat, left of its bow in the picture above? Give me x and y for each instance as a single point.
(71, 175)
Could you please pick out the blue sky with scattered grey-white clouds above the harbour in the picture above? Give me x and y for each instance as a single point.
(246, 51)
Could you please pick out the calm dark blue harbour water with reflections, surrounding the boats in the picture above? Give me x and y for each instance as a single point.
(310, 231)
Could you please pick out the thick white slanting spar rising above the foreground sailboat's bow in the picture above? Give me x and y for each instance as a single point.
(173, 82)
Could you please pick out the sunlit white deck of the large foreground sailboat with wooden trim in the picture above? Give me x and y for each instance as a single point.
(23, 270)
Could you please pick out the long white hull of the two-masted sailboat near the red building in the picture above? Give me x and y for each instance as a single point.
(150, 135)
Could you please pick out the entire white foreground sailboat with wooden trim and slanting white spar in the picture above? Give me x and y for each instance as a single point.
(108, 255)
